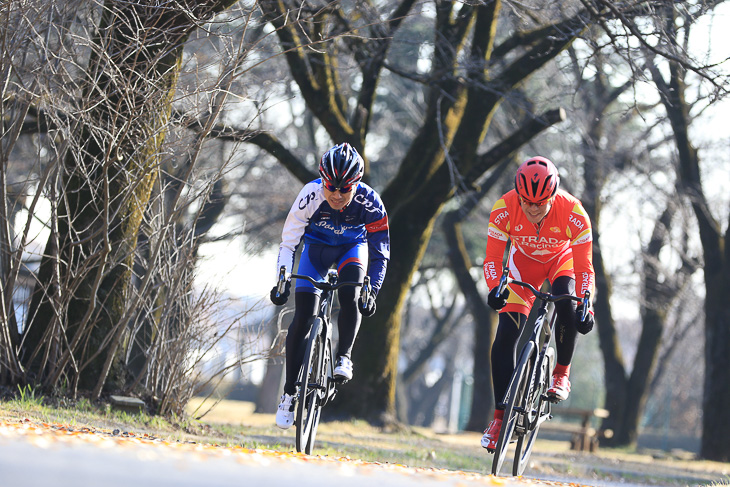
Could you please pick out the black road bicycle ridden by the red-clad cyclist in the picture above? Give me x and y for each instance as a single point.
(526, 399)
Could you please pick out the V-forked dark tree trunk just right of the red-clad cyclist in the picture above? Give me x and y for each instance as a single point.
(625, 396)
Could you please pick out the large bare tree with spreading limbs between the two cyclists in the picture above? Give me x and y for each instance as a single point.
(467, 81)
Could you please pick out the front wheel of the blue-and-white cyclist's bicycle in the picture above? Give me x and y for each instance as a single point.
(307, 402)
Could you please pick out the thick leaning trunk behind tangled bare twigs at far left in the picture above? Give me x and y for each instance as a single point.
(81, 305)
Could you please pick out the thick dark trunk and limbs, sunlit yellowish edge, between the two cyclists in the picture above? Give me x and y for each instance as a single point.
(442, 157)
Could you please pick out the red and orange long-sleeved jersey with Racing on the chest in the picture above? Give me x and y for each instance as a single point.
(566, 225)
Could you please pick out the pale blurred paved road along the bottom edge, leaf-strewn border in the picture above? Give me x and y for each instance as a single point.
(35, 455)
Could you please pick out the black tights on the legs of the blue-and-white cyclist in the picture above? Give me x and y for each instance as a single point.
(306, 306)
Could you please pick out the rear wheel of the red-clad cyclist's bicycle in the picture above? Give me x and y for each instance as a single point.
(537, 403)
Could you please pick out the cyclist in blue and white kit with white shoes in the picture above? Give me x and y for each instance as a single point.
(339, 221)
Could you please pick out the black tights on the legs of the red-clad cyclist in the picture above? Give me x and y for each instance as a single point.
(504, 348)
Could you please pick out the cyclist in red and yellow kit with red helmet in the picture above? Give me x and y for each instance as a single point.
(551, 239)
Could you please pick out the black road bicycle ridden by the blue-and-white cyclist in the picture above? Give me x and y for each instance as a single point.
(316, 382)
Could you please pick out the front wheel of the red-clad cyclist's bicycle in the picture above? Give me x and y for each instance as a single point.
(519, 382)
